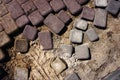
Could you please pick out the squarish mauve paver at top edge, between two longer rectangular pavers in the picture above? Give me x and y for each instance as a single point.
(57, 5)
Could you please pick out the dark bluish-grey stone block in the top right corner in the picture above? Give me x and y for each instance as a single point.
(113, 7)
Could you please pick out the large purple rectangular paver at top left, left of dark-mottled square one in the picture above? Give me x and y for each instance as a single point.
(15, 9)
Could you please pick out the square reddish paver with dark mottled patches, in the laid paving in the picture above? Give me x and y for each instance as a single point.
(29, 7)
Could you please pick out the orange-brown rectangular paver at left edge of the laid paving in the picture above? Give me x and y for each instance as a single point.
(9, 24)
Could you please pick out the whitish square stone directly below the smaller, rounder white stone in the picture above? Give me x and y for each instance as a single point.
(76, 36)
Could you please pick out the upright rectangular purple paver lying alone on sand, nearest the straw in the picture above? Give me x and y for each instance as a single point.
(45, 39)
